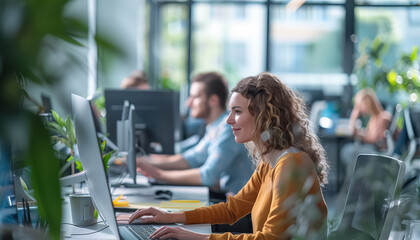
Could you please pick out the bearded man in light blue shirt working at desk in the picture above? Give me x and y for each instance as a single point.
(217, 160)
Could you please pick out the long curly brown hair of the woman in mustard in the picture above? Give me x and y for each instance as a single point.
(280, 120)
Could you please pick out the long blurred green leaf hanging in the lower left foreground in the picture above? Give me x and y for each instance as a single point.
(44, 175)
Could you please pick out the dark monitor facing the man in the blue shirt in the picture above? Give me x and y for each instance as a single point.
(157, 122)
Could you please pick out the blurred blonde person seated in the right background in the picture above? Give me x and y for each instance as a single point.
(372, 138)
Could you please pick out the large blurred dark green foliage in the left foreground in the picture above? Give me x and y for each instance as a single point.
(27, 29)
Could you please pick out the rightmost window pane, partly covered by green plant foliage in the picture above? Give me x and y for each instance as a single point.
(396, 27)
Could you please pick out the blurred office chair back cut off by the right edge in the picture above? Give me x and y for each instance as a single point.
(412, 121)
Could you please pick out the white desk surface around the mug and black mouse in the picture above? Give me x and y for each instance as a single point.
(139, 195)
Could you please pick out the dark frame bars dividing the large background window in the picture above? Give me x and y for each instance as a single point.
(349, 31)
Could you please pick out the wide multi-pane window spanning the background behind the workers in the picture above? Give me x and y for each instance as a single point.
(238, 38)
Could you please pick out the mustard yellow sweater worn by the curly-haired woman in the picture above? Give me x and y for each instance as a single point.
(284, 201)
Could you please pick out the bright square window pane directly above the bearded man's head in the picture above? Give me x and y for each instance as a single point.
(229, 39)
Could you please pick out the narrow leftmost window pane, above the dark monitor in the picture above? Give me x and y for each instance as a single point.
(172, 52)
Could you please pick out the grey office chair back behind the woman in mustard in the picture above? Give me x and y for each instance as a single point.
(371, 201)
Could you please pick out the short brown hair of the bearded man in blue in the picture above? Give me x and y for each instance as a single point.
(215, 83)
